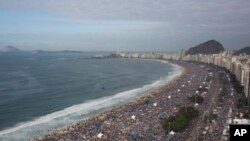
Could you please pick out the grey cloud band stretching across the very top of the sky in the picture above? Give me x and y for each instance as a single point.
(191, 10)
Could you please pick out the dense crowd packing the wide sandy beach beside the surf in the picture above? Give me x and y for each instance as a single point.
(142, 119)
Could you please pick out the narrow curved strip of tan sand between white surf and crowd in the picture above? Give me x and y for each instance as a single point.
(119, 107)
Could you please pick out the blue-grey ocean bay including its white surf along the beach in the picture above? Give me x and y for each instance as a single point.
(41, 92)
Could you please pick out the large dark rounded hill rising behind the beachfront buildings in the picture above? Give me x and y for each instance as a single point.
(209, 47)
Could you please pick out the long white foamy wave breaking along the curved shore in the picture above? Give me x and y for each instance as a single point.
(75, 113)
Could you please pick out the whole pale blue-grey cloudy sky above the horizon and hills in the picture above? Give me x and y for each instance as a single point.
(123, 25)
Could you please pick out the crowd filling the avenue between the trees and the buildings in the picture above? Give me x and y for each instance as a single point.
(218, 113)
